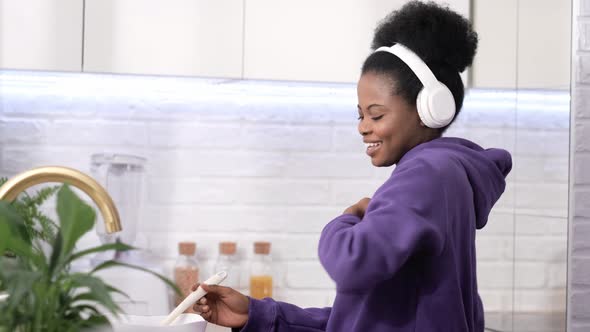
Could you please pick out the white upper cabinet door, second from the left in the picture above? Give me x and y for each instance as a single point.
(164, 37)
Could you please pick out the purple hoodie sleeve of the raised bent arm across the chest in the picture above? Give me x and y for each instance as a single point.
(406, 216)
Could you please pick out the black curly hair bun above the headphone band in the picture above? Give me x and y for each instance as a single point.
(436, 33)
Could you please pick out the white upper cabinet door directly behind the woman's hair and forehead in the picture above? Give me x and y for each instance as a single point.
(309, 40)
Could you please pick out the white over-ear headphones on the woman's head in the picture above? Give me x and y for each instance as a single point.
(435, 102)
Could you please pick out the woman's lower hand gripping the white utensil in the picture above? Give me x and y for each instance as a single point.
(222, 306)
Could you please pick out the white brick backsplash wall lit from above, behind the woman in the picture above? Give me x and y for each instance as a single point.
(249, 161)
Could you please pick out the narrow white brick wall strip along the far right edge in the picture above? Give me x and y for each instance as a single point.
(579, 204)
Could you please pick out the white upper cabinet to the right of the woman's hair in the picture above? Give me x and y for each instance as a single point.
(531, 51)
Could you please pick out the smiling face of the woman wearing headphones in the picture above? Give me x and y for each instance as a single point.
(390, 126)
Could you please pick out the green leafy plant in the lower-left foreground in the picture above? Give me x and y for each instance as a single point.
(44, 295)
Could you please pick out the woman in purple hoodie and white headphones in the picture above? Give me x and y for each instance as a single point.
(405, 259)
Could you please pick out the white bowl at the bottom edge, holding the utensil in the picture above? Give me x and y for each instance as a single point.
(184, 323)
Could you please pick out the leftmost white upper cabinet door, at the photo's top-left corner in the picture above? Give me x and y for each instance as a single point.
(41, 35)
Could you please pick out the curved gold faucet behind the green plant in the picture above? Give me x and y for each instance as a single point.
(16, 185)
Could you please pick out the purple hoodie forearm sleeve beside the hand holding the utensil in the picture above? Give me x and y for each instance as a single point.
(268, 315)
